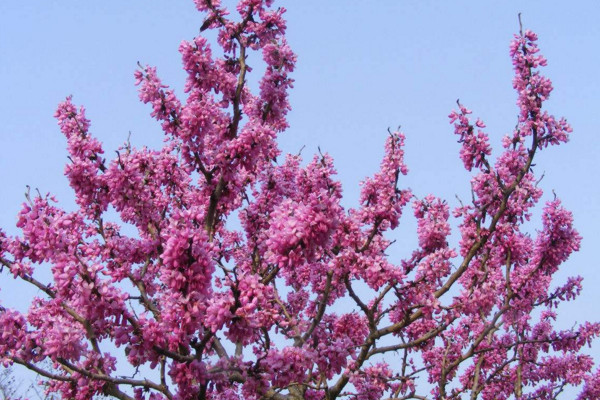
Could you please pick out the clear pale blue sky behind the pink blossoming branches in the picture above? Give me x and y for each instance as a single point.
(362, 67)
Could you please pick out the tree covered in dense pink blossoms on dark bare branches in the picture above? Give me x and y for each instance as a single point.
(213, 312)
